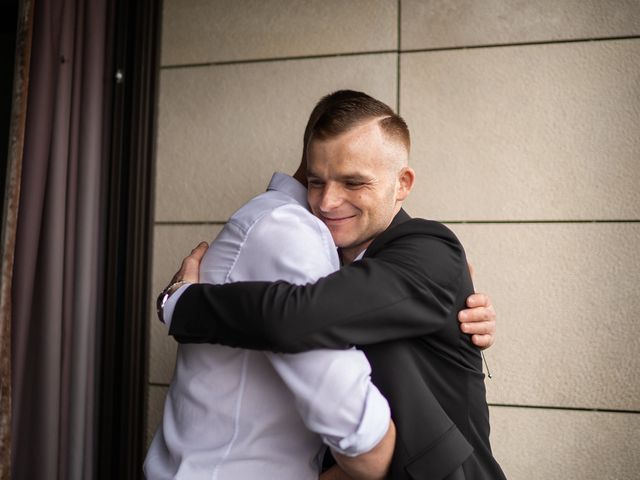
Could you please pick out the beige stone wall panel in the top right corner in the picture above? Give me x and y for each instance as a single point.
(454, 23)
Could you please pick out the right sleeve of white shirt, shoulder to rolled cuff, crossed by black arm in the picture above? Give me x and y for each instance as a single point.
(332, 388)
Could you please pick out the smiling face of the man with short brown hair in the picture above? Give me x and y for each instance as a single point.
(357, 182)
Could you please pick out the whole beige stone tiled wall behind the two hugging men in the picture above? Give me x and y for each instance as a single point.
(525, 118)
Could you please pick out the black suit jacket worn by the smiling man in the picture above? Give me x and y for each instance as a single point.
(399, 304)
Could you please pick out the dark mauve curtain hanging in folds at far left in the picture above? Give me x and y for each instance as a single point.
(58, 262)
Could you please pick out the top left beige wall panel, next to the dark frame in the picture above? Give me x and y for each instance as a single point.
(223, 30)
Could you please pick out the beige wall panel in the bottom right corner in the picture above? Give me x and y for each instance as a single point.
(565, 445)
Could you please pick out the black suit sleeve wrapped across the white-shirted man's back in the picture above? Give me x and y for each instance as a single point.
(407, 288)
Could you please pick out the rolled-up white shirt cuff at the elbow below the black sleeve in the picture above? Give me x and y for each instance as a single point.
(372, 428)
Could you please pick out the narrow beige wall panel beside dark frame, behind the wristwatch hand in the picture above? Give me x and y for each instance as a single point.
(171, 244)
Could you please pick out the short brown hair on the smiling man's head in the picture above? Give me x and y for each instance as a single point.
(340, 111)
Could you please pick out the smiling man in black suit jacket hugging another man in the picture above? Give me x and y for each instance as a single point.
(398, 302)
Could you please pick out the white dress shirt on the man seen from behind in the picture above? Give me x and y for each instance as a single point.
(238, 414)
